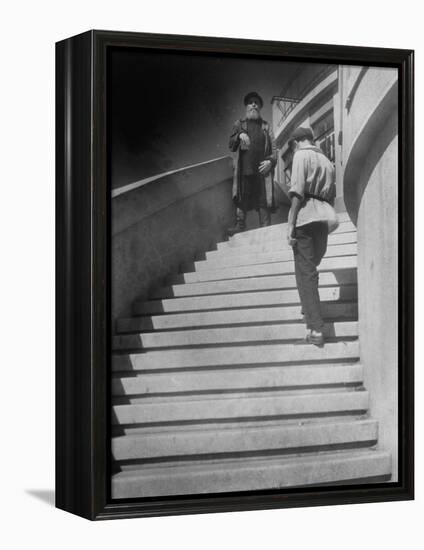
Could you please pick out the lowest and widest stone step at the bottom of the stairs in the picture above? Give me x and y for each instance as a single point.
(252, 474)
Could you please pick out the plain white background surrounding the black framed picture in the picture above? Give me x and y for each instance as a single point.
(29, 30)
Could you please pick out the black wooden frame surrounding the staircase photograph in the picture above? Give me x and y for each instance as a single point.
(83, 278)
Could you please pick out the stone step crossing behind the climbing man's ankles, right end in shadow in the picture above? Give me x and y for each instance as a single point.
(329, 310)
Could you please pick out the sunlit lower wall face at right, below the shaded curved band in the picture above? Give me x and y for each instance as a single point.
(378, 294)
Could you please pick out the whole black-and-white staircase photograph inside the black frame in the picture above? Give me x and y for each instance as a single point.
(254, 273)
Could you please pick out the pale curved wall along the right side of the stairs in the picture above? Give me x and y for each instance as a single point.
(370, 145)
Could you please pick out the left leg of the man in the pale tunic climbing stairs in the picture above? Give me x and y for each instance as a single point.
(307, 278)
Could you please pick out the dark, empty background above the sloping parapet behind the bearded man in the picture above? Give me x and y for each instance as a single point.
(171, 110)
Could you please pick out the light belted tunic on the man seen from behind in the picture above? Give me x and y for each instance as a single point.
(313, 174)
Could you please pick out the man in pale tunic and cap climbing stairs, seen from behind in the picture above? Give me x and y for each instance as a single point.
(311, 219)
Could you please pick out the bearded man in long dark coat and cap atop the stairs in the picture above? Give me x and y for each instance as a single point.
(253, 142)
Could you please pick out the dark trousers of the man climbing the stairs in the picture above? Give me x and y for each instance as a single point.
(310, 247)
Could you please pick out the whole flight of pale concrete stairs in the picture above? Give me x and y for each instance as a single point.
(210, 394)
